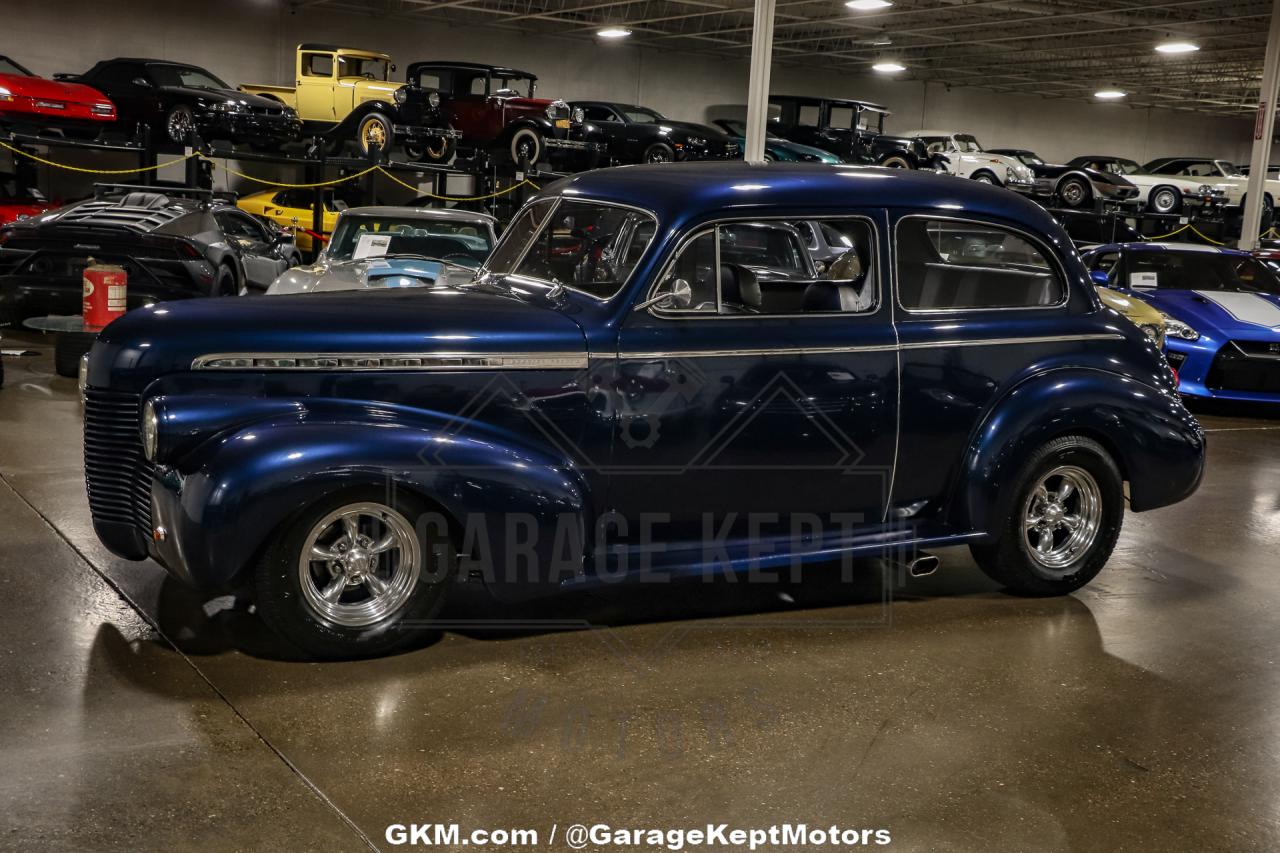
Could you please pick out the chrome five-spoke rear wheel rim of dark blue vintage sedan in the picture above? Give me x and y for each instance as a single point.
(1063, 517)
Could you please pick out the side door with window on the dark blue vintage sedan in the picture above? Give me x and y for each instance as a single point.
(762, 398)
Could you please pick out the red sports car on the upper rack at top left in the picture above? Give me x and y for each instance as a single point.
(31, 102)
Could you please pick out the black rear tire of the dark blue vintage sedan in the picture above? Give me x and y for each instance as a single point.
(1011, 559)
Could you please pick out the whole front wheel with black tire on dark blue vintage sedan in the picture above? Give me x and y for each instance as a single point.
(354, 576)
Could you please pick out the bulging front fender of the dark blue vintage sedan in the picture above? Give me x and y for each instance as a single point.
(509, 507)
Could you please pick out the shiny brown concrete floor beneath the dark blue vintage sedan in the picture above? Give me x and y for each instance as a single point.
(1137, 715)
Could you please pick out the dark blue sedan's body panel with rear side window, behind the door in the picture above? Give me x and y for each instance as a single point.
(980, 302)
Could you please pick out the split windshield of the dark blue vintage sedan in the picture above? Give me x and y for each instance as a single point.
(584, 245)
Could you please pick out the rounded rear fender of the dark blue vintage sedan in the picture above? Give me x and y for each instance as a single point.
(1158, 445)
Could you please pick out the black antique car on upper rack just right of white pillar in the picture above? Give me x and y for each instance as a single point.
(853, 131)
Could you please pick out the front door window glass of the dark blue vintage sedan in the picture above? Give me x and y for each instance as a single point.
(776, 268)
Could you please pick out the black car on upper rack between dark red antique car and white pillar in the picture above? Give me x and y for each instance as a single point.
(642, 135)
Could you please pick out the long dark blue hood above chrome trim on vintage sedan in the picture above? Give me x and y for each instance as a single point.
(167, 337)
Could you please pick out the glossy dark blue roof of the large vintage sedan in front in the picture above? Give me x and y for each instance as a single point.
(689, 191)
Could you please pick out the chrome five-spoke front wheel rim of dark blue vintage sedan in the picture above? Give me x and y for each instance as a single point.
(359, 565)
